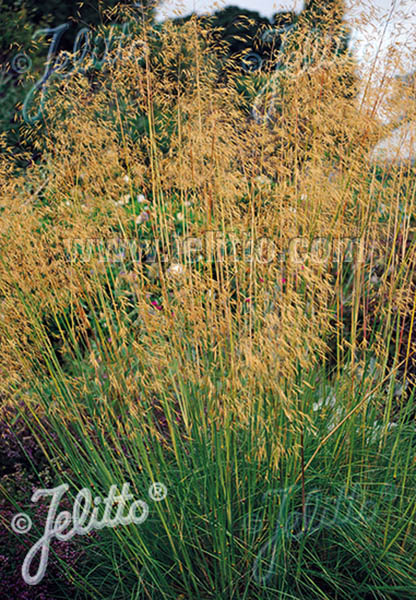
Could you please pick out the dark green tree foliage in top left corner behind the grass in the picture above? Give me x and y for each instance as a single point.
(21, 55)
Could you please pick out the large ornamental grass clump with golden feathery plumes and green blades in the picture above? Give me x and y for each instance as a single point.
(224, 305)
